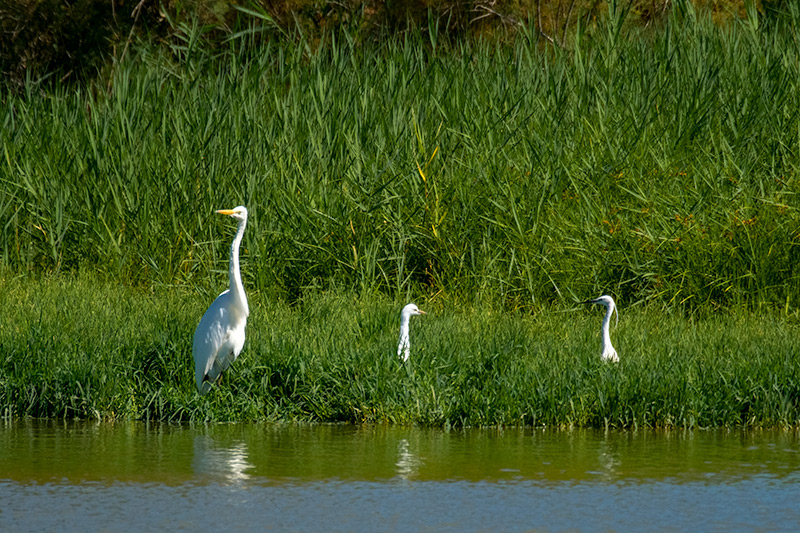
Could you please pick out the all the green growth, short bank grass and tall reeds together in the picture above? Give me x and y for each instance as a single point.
(493, 182)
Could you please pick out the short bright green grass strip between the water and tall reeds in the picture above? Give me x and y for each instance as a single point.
(80, 348)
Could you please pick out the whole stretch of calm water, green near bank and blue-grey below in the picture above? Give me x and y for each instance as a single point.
(132, 476)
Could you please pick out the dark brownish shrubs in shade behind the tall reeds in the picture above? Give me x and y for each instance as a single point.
(79, 41)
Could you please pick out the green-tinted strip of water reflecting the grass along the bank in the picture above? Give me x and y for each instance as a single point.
(75, 452)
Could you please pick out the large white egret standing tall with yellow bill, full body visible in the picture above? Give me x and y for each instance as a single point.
(219, 337)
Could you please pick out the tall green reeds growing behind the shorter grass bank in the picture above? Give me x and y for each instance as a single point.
(659, 165)
